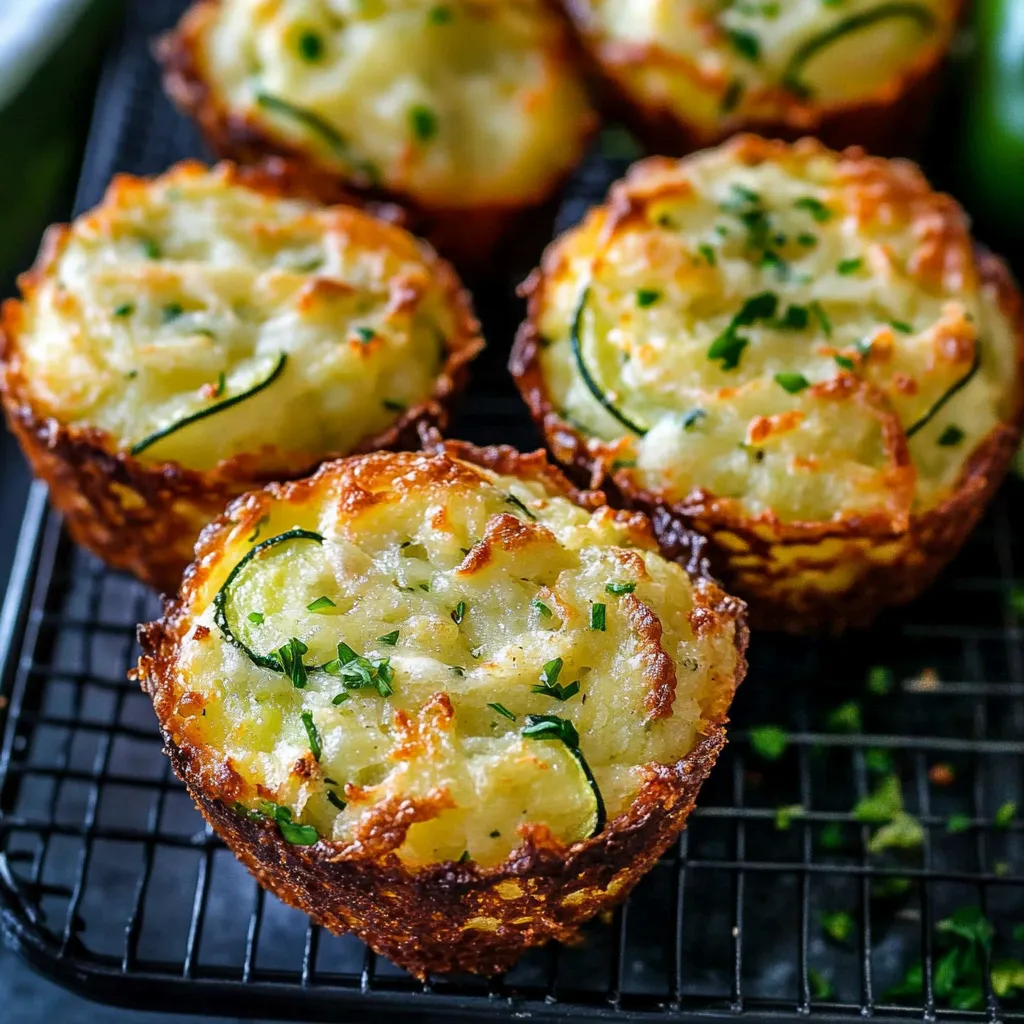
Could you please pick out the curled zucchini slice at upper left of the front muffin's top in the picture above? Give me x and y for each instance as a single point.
(265, 602)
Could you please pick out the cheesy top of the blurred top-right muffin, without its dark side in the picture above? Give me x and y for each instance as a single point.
(708, 62)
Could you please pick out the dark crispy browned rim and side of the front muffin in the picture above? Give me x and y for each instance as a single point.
(419, 918)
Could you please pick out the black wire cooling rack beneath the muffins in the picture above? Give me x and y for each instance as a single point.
(112, 885)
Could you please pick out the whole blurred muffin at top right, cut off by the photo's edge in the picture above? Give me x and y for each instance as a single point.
(689, 73)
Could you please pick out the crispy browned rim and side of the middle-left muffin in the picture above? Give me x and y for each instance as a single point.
(145, 519)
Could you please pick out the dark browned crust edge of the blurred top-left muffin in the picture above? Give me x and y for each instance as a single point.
(481, 241)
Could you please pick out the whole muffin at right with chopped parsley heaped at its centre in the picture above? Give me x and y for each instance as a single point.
(797, 353)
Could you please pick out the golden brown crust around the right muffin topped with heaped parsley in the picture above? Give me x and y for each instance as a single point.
(878, 561)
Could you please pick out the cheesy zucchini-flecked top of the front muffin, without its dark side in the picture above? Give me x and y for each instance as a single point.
(414, 639)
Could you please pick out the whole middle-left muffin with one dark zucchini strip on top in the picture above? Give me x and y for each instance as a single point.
(202, 333)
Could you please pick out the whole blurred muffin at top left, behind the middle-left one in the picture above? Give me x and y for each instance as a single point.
(468, 109)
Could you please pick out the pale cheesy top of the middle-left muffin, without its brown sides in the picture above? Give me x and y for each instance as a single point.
(197, 319)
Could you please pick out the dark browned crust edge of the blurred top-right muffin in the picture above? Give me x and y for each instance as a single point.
(893, 122)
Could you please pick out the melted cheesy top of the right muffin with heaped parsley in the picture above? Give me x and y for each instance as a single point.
(778, 323)
